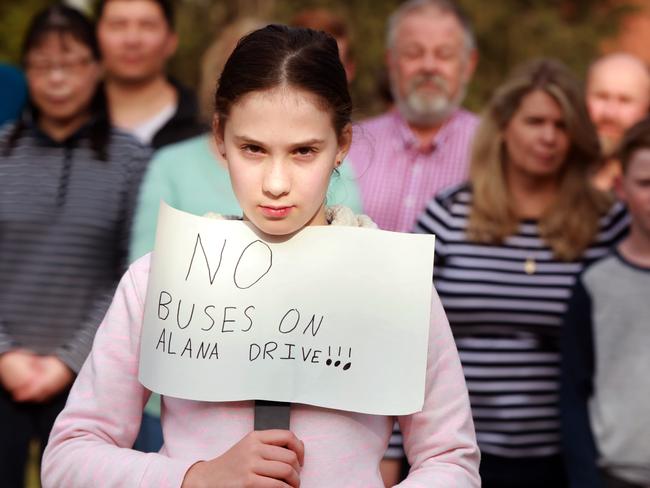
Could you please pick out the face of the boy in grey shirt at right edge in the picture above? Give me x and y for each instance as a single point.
(634, 189)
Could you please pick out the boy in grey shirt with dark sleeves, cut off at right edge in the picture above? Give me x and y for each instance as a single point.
(605, 395)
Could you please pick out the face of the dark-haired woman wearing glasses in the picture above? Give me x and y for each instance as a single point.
(62, 76)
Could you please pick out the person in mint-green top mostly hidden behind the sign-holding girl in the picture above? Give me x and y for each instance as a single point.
(201, 184)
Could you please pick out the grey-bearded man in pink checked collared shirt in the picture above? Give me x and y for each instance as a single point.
(405, 156)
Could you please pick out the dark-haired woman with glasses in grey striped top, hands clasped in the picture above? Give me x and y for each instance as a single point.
(68, 188)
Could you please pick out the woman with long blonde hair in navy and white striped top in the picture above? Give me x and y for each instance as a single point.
(509, 245)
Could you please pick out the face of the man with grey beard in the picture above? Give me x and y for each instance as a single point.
(429, 66)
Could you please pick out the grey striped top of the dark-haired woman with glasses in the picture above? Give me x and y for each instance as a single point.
(64, 222)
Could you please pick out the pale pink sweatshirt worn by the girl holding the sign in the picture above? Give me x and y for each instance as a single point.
(90, 443)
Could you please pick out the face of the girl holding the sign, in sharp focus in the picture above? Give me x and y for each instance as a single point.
(281, 149)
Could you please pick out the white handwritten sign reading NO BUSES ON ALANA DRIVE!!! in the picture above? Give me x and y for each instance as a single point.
(333, 316)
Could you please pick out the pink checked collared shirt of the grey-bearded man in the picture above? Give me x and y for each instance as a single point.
(396, 177)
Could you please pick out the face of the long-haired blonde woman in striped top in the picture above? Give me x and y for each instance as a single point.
(536, 138)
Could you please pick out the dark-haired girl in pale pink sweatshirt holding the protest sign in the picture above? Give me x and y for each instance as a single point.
(282, 124)
